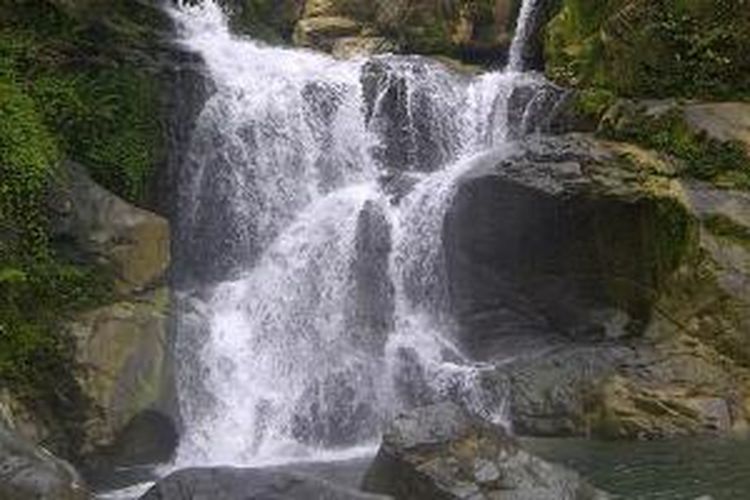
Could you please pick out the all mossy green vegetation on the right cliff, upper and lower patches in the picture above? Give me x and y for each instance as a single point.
(693, 49)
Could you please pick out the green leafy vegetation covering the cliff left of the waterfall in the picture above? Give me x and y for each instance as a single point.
(72, 85)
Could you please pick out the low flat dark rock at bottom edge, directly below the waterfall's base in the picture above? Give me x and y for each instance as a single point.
(248, 484)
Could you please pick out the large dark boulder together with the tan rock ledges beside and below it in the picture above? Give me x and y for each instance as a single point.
(619, 291)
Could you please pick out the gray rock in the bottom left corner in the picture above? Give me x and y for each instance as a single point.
(27, 471)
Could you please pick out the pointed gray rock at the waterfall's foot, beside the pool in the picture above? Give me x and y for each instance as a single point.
(440, 452)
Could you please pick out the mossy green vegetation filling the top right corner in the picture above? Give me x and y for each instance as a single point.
(654, 48)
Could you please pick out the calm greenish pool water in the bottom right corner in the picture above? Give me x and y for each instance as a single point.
(667, 470)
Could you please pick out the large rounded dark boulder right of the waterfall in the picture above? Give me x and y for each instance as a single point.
(559, 237)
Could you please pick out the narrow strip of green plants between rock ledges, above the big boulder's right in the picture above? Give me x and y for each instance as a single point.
(703, 157)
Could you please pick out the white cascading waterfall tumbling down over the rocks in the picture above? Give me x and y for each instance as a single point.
(312, 206)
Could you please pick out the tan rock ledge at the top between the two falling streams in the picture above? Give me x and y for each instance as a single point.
(478, 31)
